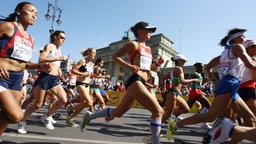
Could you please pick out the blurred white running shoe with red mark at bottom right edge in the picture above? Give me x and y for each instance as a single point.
(220, 131)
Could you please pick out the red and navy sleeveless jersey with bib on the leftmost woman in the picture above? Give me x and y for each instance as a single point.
(17, 46)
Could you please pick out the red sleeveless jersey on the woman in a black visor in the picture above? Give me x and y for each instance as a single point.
(145, 57)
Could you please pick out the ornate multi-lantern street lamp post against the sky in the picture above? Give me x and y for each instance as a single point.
(55, 9)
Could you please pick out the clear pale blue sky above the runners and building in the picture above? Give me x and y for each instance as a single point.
(195, 26)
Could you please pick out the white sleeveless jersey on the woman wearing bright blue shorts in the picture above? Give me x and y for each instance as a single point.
(230, 65)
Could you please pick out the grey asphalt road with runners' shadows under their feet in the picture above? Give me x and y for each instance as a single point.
(130, 129)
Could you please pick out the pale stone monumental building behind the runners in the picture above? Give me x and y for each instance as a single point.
(160, 46)
